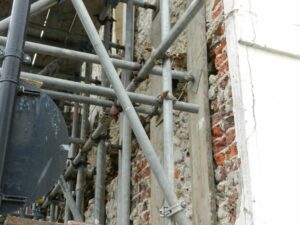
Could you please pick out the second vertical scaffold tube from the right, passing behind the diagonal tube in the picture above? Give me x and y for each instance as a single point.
(125, 172)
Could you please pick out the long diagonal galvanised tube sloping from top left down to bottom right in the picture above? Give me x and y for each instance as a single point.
(128, 108)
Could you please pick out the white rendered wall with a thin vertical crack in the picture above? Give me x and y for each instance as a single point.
(264, 60)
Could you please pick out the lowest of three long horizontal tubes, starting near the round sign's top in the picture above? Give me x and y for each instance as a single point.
(90, 101)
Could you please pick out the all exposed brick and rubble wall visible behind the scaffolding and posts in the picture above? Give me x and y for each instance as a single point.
(225, 152)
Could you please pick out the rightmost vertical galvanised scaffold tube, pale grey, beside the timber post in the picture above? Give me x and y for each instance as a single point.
(168, 130)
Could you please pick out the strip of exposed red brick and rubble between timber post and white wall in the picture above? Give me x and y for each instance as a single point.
(225, 150)
